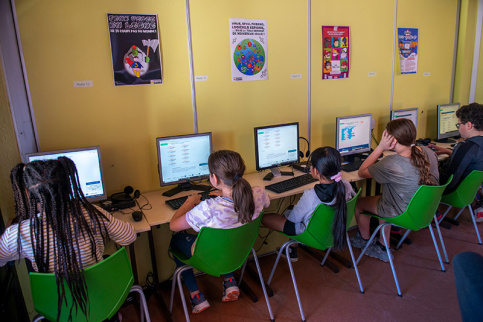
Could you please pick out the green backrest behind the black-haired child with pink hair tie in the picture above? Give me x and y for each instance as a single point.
(318, 233)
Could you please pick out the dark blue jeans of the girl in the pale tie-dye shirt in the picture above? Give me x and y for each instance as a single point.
(183, 242)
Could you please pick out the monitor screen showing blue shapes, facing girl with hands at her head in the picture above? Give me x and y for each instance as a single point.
(353, 134)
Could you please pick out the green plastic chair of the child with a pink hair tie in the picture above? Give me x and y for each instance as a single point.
(318, 235)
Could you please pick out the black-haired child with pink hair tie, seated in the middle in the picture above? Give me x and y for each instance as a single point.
(332, 190)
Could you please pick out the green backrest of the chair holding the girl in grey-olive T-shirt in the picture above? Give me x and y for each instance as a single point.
(422, 207)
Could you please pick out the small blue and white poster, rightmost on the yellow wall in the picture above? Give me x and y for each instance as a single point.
(408, 40)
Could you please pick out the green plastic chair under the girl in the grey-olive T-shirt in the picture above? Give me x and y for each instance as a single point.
(419, 213)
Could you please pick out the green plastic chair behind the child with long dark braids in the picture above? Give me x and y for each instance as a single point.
(109, 282)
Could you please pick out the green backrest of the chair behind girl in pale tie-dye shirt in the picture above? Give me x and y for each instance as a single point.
(222, 251)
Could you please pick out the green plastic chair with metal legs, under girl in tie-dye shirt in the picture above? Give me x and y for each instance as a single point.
(218, 252)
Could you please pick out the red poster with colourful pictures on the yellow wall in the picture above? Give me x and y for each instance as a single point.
(335, 52)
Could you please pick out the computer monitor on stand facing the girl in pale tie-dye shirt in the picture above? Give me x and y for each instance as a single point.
(183, 158)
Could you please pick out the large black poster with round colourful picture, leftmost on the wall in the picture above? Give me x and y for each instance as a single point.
(135, 51)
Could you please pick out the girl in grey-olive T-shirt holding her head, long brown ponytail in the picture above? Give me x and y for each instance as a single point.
(400, 175)
